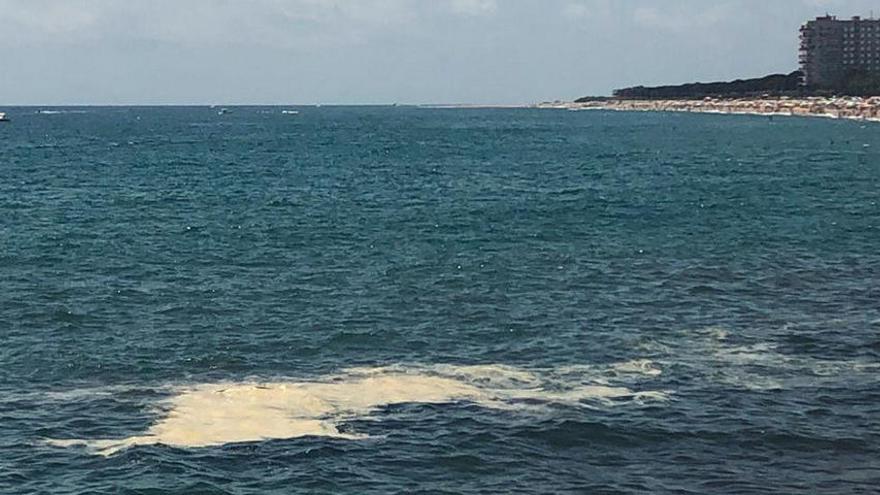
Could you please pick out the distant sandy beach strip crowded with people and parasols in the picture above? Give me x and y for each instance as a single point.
(851, 108)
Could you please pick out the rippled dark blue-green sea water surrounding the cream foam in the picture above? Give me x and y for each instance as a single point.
(730, 266)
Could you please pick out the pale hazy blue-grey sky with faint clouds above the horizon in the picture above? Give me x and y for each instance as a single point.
(119, 52)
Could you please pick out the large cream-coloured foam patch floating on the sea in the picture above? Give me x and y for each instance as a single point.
(220, 413)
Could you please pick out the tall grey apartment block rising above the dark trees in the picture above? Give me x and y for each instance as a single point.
(832, 50)
